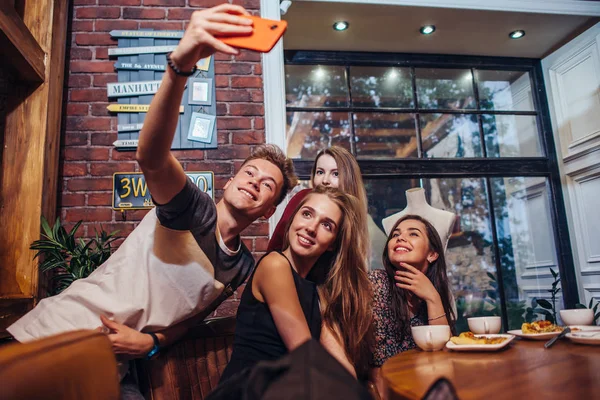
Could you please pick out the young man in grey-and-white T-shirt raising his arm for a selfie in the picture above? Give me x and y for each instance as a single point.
(186, 256)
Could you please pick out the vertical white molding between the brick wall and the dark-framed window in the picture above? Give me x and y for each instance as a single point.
(274, 95)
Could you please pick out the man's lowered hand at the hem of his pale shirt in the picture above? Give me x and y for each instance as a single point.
(126, 342)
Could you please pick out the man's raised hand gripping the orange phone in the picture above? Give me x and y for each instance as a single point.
(199, 38)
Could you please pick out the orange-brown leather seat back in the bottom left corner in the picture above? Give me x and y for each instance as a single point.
(74, 365)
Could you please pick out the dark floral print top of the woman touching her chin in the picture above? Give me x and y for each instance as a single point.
(389, 339)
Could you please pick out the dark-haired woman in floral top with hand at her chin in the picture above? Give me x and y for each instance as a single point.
(412, 290)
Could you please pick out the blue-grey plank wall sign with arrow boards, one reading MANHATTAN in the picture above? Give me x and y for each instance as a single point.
(140, 65)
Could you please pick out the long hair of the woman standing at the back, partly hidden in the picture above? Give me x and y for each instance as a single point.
(350, 181)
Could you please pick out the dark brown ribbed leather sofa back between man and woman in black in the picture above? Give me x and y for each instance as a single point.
(191, 368)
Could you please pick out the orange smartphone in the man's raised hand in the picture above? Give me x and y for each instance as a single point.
(265, 35)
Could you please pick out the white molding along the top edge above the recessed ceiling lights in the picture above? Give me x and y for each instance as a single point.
(564, 7)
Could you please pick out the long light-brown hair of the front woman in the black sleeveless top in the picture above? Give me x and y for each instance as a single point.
(346, 292)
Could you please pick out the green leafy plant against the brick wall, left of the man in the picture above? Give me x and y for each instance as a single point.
(71, 258)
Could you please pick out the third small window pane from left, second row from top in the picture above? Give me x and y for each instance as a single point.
(450, 136)
